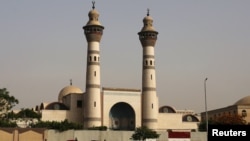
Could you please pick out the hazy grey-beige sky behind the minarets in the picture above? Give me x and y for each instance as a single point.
(42, 47)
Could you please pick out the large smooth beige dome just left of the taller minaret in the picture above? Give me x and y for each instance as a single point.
(68, 90)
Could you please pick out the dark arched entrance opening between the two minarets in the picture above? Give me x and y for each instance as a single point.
(122, 117)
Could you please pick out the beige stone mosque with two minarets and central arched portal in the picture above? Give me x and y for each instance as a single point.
(117, 108)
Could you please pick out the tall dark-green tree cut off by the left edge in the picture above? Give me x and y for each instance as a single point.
(7, 102)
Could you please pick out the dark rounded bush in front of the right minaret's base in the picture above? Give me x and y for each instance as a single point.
(142, 133)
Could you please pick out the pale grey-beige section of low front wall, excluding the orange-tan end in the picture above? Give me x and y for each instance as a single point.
(88, 135)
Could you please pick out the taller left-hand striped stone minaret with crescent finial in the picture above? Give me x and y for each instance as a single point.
(93, 31)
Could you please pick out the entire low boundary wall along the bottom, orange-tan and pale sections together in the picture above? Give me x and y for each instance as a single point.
(30, 134)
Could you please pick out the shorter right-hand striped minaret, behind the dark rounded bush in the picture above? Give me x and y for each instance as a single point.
(148, 37)
